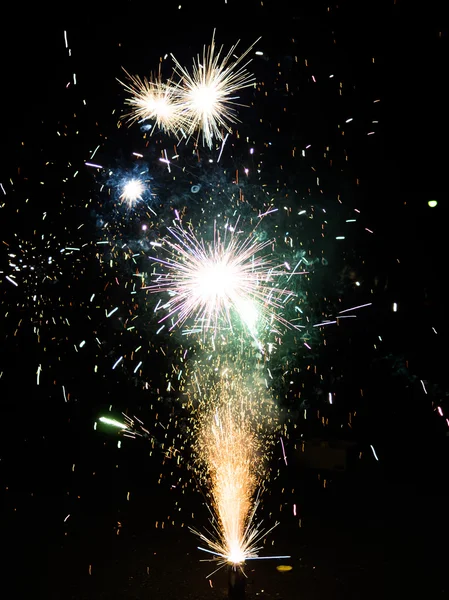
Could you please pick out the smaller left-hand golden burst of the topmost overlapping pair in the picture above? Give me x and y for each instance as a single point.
(153, 99)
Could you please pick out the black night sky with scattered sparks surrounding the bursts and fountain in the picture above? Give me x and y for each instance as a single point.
(347, 124)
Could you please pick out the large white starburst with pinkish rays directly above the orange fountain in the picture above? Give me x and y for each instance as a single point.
(213, 282)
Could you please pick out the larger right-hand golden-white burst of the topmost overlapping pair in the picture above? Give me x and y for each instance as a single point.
(209, 92)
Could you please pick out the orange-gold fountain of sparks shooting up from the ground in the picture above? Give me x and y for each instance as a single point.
(233, 450)
